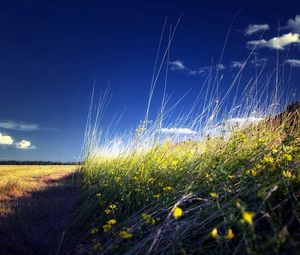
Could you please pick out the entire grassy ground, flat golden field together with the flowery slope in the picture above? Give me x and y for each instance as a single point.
(235, 193)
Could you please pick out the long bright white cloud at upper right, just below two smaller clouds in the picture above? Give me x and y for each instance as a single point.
(277, 42)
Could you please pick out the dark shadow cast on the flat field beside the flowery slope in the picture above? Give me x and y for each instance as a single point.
(36, 222)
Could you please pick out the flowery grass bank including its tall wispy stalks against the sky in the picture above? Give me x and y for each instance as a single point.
(219, 177)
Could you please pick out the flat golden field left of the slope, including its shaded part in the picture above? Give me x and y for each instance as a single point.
(35, 202)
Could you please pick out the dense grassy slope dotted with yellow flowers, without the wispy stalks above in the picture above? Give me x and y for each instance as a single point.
(245, 188)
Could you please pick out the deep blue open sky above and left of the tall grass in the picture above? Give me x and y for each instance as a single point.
(51, 52)
